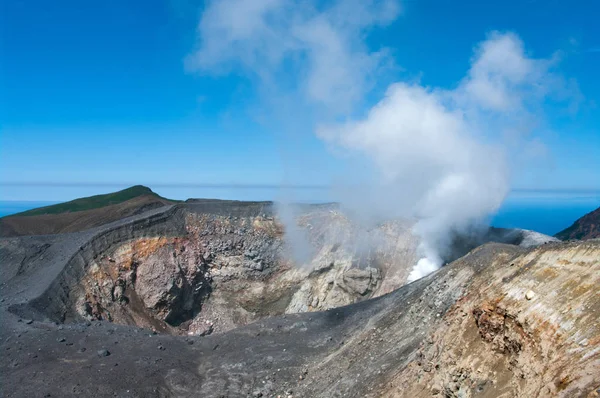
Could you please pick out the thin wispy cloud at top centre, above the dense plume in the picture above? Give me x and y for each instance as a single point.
(314, 49)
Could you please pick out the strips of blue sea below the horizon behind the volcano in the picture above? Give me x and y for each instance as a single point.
(547, 212)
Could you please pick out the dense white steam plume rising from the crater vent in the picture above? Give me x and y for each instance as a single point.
(440, 153)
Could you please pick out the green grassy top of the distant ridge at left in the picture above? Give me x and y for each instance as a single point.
(92, 202)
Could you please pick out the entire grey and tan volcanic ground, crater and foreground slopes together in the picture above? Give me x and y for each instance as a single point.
(81, 311)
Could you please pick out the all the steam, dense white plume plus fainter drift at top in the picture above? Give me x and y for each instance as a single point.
(440, 156)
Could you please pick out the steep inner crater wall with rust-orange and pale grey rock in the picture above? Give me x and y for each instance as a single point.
(195, 272)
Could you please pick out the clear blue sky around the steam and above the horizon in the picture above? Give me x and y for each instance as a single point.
(99, 93)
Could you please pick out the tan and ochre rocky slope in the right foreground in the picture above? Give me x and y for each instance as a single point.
(526, 325)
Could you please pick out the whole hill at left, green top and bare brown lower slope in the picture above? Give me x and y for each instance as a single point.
(82, 213)
